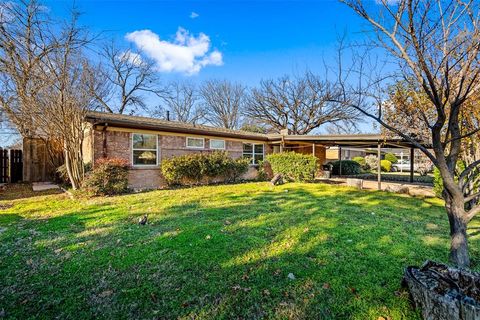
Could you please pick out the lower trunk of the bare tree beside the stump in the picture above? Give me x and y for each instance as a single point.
(458, 233)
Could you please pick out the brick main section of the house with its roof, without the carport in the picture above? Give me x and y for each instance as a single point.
(144, 142)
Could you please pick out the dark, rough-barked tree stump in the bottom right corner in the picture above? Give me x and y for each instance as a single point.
(444, 293)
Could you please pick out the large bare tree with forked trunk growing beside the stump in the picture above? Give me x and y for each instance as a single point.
(436, 45)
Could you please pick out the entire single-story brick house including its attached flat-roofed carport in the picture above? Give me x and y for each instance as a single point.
(144, 142)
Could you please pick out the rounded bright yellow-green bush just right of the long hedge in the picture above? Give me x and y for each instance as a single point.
(293, 166)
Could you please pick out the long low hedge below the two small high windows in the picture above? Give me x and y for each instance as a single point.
(203, 168)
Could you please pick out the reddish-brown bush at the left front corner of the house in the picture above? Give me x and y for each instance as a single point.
(109, 176)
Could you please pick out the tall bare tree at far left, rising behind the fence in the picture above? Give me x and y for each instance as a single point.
(25, 41)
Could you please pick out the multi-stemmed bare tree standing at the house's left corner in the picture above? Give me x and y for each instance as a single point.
(64, 104)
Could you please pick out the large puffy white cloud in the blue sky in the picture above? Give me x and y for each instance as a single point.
(186, 53)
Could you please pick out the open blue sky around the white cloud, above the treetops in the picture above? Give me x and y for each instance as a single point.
(256, 39)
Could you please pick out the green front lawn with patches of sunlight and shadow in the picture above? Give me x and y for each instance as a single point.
(217, 252)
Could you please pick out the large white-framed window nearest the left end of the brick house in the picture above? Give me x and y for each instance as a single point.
(144, 149)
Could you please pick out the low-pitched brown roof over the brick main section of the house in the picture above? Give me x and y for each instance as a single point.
(136, 122)
